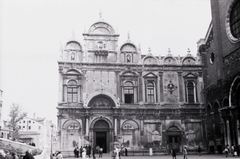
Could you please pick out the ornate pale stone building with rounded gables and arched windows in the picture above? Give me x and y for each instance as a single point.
(111, 94)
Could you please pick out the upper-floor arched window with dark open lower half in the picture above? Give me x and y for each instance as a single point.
(129, 92)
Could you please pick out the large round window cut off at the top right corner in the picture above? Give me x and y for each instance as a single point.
(235, 19)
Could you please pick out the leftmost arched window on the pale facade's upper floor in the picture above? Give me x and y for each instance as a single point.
(72, 92)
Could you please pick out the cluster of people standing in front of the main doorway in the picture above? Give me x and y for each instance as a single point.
(85, 151)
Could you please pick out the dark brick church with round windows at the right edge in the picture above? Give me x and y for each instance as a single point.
(220, 51)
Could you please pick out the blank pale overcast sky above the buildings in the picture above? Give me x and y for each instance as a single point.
(32, 32)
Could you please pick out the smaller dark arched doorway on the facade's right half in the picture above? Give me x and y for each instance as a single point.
(174, 138)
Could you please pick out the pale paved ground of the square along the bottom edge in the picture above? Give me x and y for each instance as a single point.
(204, 156)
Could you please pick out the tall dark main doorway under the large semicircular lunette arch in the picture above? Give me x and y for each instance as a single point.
(101, 135)
